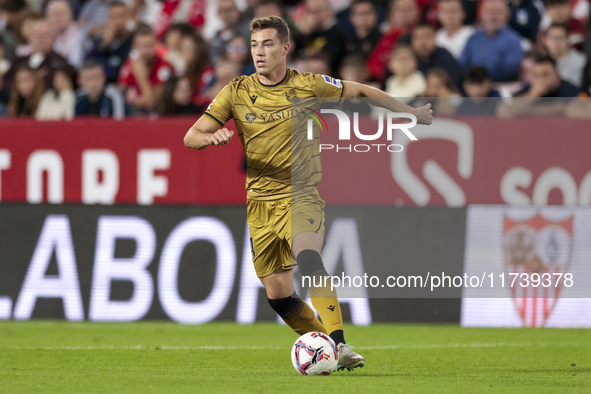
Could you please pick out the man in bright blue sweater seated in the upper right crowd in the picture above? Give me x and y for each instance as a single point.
(496, 47)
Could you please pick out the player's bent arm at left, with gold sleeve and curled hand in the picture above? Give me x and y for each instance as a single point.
(209, 129)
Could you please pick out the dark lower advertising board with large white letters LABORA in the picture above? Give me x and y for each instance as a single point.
(194, 264)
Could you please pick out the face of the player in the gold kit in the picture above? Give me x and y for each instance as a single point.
(268, 53)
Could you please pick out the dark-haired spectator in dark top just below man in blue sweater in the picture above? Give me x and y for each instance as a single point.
(481, 99)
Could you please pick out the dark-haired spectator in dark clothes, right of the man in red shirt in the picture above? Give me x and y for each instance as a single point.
(176, 99)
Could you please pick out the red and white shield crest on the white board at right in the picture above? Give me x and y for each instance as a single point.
(536, 246)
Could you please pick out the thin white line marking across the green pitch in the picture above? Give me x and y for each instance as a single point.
(164, 347)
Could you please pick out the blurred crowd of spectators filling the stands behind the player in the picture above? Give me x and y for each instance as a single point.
(61, 59)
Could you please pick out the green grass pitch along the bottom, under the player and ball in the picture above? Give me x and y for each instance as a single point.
(154, 357)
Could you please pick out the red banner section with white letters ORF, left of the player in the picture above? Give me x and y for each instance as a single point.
(111, 162)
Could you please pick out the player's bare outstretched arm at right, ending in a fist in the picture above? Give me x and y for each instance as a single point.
(379, 98)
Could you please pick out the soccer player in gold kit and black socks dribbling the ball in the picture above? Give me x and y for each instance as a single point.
(285, 217)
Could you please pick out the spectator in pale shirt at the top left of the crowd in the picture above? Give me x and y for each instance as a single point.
(69, 38)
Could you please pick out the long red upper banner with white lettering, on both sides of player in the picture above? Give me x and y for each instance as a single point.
(459, 161)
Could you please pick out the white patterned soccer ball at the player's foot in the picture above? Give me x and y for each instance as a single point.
(314, 353)
